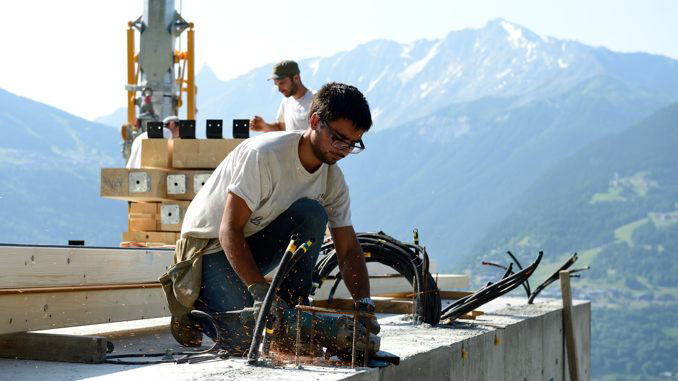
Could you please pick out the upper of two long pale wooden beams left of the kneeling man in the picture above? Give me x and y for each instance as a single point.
(41, 266)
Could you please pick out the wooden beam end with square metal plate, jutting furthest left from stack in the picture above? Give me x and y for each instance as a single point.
(151, 184)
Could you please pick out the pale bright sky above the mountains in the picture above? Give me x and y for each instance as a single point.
(71, 54)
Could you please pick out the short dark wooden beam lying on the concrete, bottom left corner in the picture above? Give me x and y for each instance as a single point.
(53, 347)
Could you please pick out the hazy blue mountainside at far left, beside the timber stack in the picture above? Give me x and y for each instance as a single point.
(49, 161)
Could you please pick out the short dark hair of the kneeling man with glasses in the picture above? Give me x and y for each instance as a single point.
(340, 101)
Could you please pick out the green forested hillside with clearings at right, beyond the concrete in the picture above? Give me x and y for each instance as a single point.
(615, 203)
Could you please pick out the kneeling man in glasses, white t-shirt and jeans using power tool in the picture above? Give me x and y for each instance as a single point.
(271, 187)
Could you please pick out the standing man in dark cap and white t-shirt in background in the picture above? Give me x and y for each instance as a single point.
(293, 110)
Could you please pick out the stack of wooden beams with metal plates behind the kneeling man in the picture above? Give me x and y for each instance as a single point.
(158, 194)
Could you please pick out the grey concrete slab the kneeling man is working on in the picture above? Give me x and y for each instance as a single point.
(511, 341)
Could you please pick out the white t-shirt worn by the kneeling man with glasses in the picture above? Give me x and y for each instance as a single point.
(266, 172)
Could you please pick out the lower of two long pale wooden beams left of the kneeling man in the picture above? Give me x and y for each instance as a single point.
(48, 310)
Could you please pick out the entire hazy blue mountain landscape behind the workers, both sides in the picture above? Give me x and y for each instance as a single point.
(486, 140)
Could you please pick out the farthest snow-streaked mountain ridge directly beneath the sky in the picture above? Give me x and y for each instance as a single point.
(404, 82)
